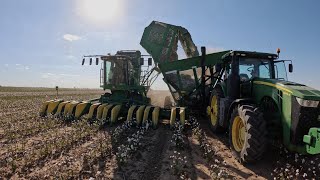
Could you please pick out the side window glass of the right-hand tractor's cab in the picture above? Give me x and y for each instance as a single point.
(253, 67)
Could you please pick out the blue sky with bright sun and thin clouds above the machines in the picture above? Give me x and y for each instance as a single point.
(42, 41)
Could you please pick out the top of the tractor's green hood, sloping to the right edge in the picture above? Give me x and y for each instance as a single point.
(296, 89)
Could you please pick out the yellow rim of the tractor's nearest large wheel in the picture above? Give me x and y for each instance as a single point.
(238, 133)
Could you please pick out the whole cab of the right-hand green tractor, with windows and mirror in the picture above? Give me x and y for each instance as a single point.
(244, 67)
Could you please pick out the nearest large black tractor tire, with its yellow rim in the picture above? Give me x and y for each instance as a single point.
(247, 133)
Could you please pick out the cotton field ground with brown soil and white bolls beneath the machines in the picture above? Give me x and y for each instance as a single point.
(46, 148)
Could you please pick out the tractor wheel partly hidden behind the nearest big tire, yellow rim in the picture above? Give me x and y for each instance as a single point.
(214, 115)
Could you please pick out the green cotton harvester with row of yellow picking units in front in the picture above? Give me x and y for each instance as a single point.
(128, 78)
